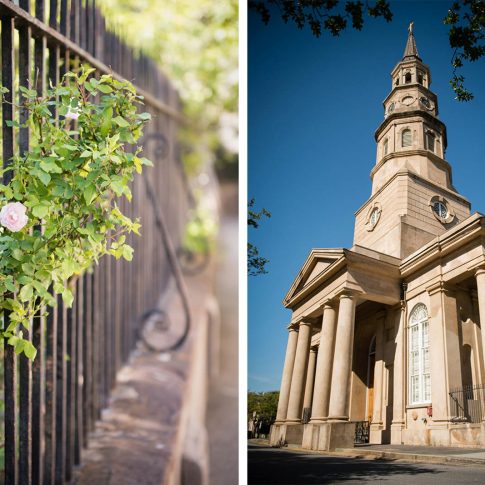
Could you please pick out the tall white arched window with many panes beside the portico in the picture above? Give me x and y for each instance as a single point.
(419, 366)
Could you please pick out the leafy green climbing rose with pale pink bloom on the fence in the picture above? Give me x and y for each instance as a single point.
(59, 211)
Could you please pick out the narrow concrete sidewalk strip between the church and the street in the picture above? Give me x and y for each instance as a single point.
(414, 454)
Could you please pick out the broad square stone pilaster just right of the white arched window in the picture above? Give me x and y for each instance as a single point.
(444, 351)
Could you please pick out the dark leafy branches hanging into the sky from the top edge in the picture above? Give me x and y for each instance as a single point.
(466, 18)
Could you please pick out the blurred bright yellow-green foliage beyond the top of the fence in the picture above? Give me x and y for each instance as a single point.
(195, 42)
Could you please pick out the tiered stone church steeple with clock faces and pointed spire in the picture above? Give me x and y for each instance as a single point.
(413, 198)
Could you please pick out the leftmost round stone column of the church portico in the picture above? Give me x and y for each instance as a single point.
(299, 373)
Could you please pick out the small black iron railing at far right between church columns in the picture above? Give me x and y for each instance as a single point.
(467, 404)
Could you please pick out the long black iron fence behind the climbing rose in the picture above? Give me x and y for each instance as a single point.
(52, 404)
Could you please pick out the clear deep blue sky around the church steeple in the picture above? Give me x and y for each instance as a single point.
(313, 107)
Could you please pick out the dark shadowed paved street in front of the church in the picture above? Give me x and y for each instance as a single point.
(286, 467)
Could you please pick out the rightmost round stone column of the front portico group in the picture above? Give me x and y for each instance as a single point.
(342, 366)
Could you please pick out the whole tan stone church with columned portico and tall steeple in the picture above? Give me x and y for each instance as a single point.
(385, 337)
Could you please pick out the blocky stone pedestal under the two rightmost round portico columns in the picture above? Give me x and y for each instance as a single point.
(328, 436)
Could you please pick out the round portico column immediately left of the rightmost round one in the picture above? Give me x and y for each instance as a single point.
(323, 375)
